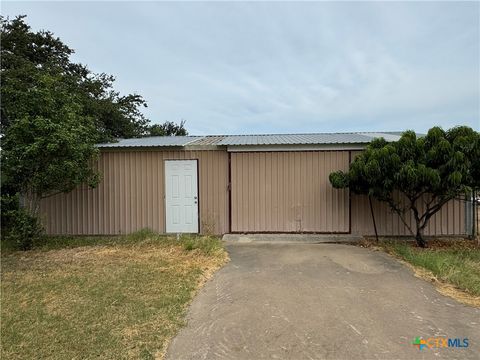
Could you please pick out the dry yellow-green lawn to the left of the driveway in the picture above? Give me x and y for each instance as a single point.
(107, 297)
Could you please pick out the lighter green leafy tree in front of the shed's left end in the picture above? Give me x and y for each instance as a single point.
(52, 151)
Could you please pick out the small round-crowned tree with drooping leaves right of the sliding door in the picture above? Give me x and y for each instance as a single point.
(416, 176)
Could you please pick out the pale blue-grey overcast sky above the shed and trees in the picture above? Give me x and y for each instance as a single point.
(232, 68)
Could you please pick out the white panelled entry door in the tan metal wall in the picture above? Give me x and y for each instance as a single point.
(181, 196)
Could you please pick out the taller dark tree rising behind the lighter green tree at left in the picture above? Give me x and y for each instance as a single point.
(25, 55)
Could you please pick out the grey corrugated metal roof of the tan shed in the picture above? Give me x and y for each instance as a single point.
(255, 140)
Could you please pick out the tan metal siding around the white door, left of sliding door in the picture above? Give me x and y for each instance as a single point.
(131, 195)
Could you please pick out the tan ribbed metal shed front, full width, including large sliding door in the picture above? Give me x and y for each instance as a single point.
(279, 191)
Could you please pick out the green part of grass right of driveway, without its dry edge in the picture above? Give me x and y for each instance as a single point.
(456, 262)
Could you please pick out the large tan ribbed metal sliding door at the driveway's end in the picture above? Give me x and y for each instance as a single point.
(288, 192)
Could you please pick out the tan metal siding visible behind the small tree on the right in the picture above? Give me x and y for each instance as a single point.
(450, 220)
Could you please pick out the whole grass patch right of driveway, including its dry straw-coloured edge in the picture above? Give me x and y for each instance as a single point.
(451, 264)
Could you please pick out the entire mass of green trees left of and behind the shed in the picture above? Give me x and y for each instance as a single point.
(53, 112)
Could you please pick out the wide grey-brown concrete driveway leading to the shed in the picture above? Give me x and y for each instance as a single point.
(320, 301)
